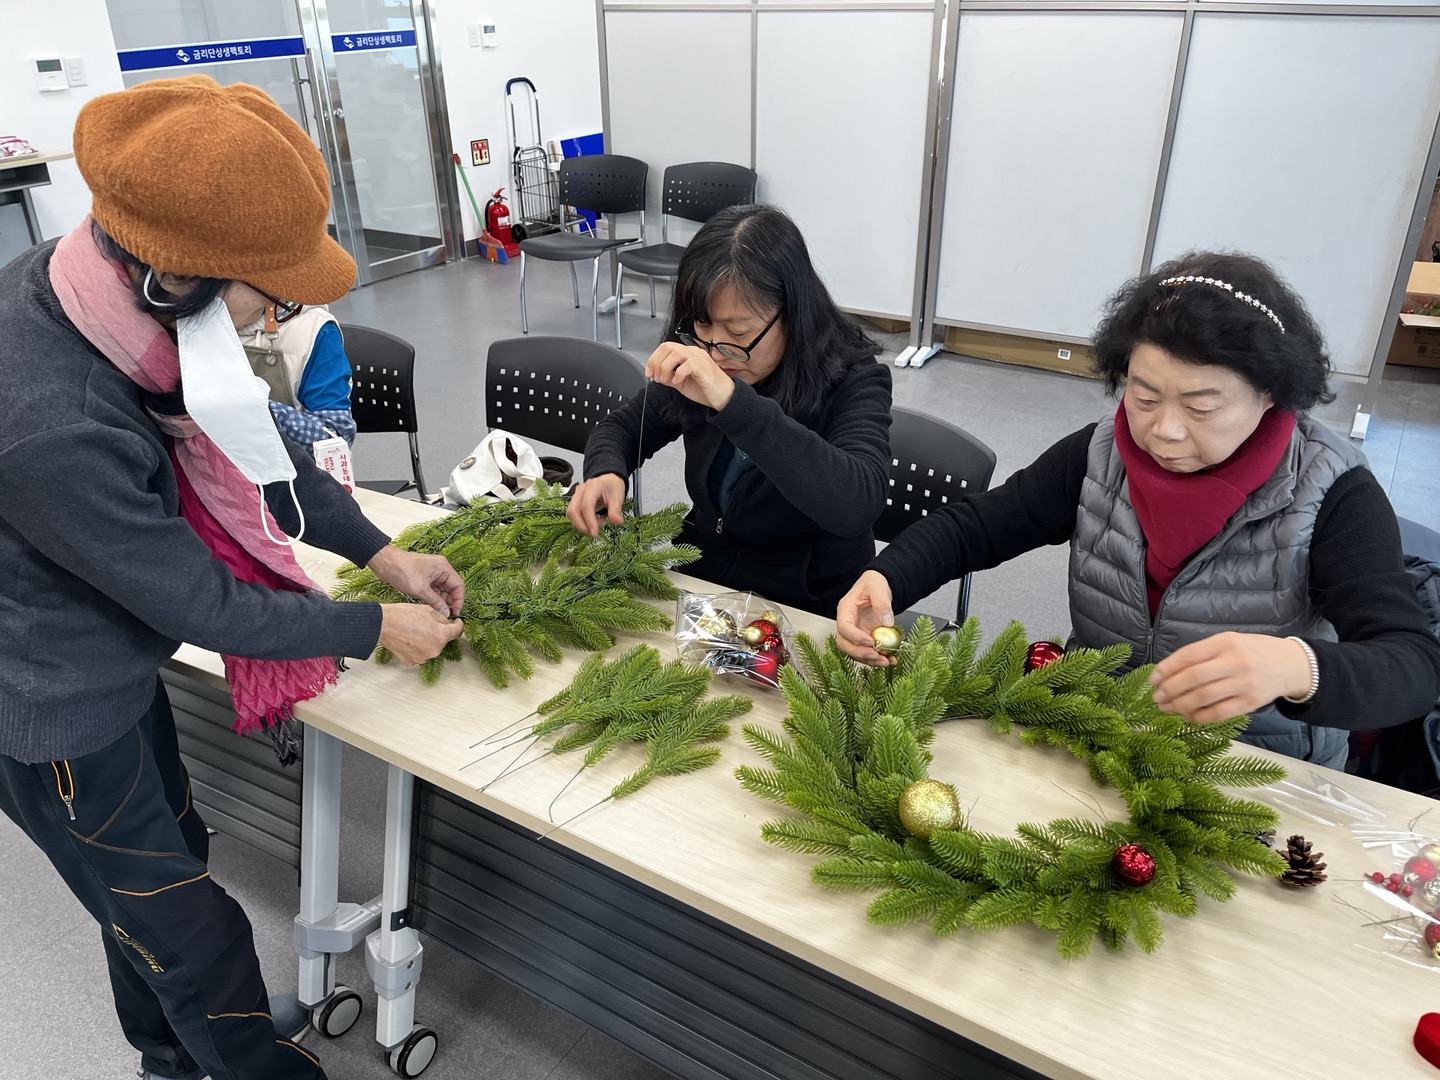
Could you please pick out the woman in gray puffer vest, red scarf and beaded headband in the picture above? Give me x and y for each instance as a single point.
(1213, 525)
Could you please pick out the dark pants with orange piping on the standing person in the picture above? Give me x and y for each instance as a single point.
(120, 829)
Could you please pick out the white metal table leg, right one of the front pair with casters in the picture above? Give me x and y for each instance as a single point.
(394, 954)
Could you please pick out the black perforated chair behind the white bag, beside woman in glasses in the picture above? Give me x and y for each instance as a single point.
(557, 390)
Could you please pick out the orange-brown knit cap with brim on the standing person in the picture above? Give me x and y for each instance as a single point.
(199, 179)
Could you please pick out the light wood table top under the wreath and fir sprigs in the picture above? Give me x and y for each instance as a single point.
(1277, 983)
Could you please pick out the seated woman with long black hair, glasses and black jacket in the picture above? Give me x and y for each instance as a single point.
(784, 414)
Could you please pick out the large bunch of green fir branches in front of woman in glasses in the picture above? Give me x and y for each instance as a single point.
(585, 591)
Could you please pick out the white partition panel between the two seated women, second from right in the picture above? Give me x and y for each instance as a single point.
(1058, 130)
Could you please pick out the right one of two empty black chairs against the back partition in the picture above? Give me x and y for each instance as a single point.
(603, 184)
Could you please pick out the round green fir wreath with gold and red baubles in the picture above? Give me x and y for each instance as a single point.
(853, 762)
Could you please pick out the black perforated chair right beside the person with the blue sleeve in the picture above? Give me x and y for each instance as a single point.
(382, 397)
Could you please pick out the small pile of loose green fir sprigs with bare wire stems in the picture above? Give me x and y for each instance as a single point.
(637, 699)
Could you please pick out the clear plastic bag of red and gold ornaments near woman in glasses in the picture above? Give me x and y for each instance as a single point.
(734, 634)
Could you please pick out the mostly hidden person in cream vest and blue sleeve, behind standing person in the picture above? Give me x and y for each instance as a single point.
(300, 355)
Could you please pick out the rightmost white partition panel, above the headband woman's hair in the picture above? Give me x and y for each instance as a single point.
(1301, 140)
